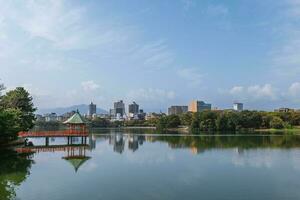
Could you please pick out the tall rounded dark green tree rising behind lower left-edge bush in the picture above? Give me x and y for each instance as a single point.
(20, 99)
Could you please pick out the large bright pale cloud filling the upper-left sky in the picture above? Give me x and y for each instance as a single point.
(41, 34)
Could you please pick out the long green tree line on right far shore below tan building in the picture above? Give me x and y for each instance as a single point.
(230, 120)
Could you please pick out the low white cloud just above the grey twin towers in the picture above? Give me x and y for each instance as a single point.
(150, 95)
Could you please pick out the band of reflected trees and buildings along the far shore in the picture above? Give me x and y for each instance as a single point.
(132, 142)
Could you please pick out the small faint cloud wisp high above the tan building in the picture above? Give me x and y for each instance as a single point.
(191, 75)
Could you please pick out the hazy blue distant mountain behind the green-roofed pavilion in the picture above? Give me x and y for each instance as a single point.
(83, 109)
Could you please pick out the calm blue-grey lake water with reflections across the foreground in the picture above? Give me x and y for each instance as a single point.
(122, 165)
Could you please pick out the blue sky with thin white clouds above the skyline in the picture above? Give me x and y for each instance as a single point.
(157, 53)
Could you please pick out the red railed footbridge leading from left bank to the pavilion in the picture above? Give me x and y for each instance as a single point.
(62, 133)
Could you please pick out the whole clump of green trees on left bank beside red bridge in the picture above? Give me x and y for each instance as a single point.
(16, 113)
